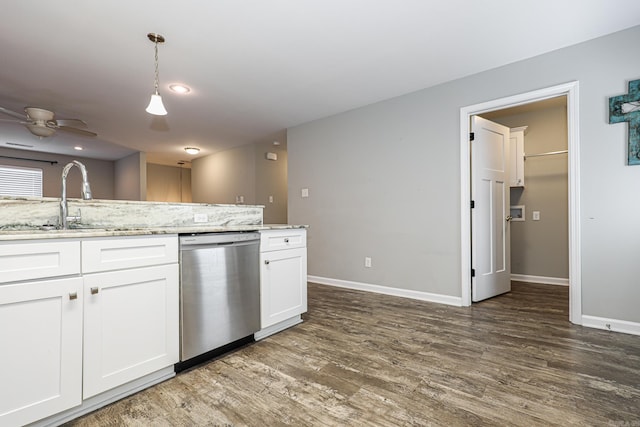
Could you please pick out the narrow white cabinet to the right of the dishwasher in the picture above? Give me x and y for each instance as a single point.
(283, 279)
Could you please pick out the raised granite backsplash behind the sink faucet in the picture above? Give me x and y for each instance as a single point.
(21, 212)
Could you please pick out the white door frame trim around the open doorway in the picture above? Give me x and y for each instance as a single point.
(570, 90)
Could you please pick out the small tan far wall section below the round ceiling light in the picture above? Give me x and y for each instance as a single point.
(168, 183)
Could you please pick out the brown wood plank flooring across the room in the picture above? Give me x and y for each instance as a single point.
(363, 359)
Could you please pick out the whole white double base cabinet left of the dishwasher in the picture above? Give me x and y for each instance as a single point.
(72, 343)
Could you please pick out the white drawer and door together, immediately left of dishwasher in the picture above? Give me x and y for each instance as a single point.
(130, 309)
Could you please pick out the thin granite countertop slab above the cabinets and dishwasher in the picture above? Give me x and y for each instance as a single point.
(75, 233)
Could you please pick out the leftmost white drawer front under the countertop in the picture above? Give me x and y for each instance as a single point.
(38, 260)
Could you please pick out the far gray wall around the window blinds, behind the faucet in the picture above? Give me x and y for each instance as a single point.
(100, 173)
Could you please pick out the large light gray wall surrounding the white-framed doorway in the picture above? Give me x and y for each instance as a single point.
(384, 180)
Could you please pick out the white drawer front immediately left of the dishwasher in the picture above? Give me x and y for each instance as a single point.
(129, 252)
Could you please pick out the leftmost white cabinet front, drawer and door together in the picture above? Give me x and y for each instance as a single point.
(40, 330)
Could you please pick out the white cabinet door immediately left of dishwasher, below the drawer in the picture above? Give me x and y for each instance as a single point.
(130, 325)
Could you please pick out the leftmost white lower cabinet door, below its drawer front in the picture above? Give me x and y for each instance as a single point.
(41, 356)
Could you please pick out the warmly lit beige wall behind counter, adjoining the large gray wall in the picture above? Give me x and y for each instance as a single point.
(245, 171)
